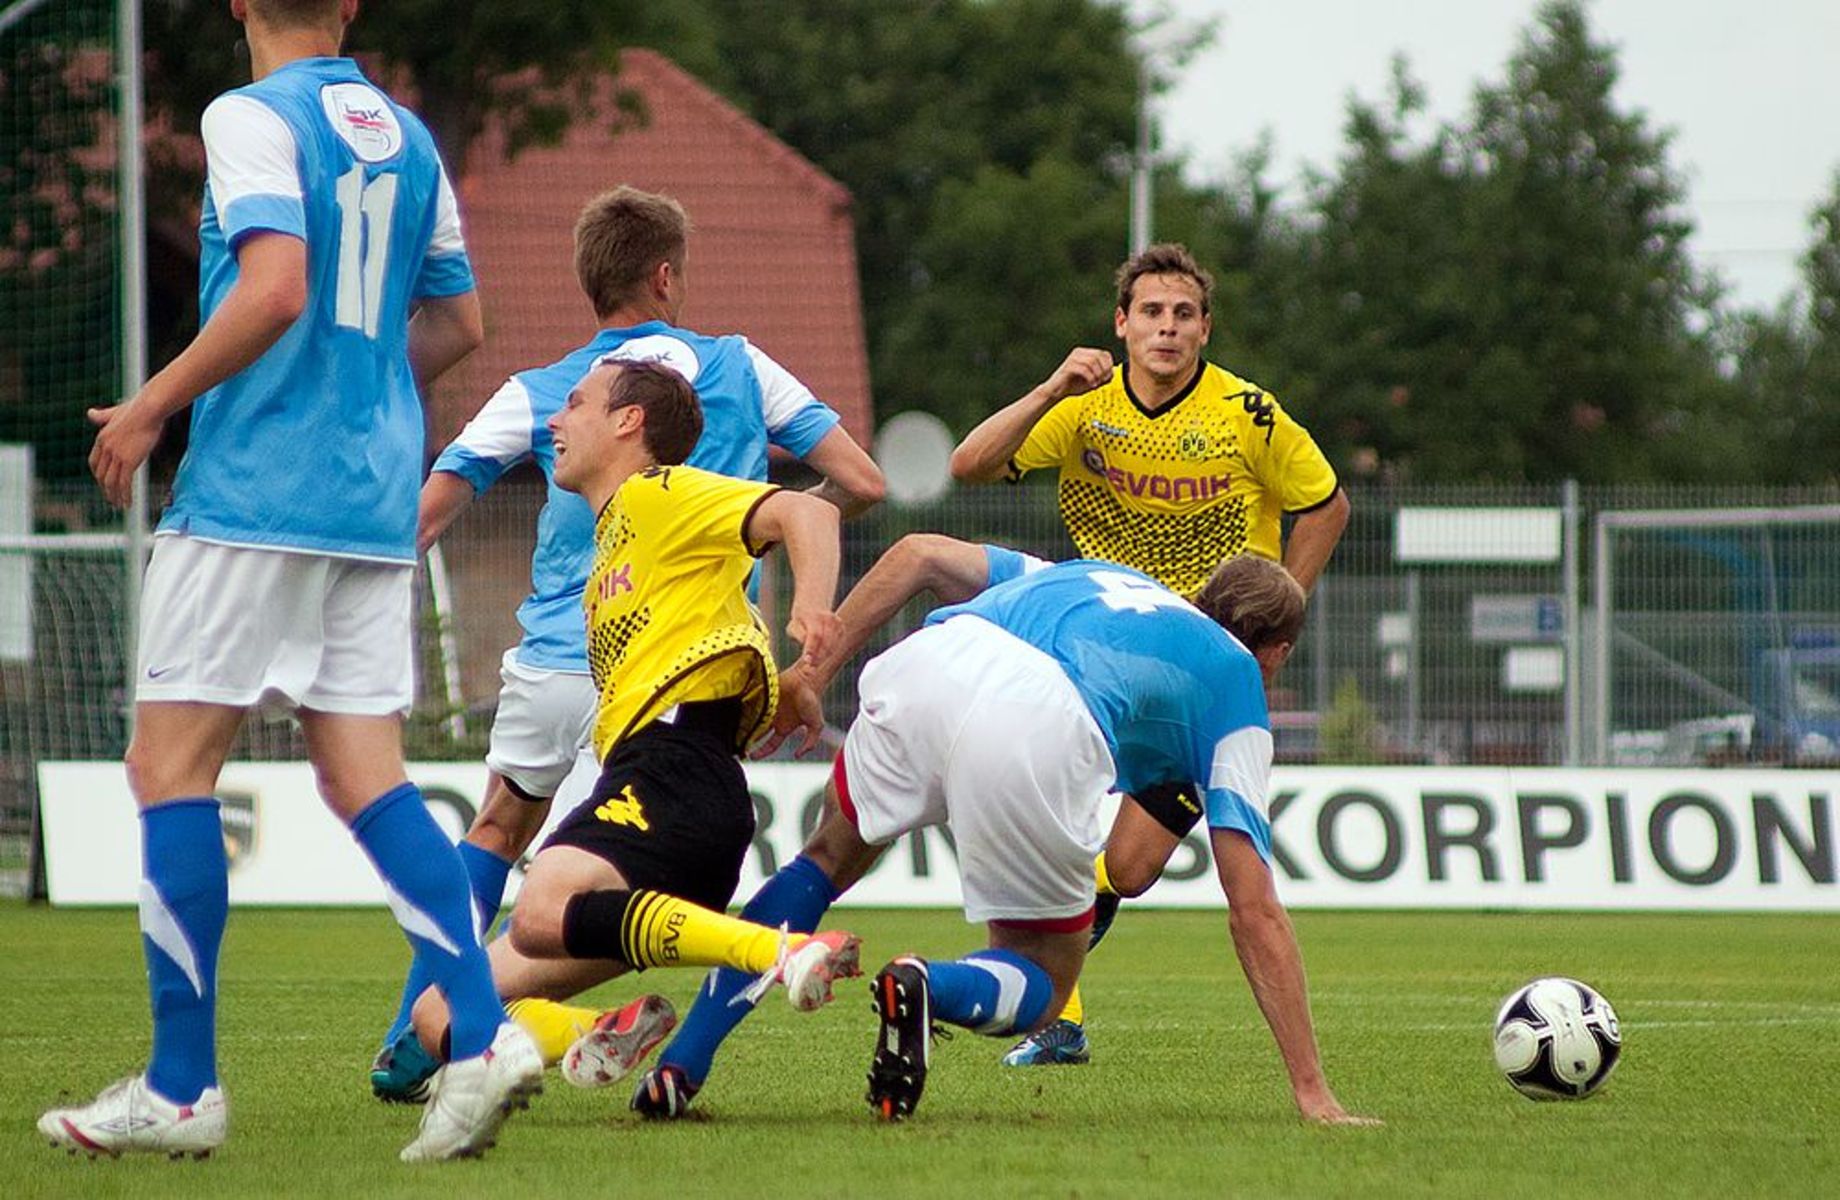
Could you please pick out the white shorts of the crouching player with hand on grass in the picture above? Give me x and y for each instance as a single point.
(967, 726)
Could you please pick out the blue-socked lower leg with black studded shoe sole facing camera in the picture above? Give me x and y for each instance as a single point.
(995, 993)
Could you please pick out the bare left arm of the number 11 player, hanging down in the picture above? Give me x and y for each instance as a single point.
(270, 295)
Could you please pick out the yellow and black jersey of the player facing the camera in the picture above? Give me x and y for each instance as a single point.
(1177, 490)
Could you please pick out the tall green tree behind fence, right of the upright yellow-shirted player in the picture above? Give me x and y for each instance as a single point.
(1512, 297)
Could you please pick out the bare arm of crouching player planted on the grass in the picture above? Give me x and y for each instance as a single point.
(1267, 949)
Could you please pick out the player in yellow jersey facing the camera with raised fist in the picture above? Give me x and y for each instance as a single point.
(1167, 465)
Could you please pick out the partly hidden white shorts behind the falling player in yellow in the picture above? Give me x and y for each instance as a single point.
(542, 726)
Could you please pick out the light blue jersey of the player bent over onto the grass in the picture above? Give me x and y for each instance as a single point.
(1177, 697)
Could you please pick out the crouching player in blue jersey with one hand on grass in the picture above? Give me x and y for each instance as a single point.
(1006, 719)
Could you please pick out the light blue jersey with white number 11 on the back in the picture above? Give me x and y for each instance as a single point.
(317, 446)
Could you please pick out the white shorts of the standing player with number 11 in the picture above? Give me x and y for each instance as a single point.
(279, 630)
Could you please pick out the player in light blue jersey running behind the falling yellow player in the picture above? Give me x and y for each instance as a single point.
(632, 253)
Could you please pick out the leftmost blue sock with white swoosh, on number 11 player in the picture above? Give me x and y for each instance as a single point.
(185, 899)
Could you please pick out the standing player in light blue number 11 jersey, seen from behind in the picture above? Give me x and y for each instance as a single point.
(334, 286)
